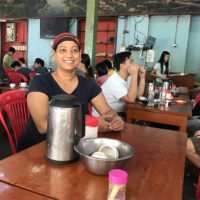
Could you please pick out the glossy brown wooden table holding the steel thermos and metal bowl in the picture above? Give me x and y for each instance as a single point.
(155, 172)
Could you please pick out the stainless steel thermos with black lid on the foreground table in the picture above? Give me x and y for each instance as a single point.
(66, 125)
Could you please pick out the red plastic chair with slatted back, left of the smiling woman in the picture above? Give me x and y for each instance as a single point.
(13, 106)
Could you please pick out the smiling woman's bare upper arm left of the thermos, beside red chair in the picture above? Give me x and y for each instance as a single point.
(38, 107)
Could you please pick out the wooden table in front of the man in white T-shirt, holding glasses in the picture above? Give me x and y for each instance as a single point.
(176, 115)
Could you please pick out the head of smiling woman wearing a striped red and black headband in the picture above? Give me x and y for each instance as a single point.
(66, 51)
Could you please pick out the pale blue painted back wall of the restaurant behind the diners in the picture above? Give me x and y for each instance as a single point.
(166, 30)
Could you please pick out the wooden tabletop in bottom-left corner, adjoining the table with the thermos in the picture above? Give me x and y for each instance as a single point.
(11, 192)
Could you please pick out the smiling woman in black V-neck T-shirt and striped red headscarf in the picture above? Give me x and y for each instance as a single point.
(67, 55)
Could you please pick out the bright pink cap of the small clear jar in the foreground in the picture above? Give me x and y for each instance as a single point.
(118, 176)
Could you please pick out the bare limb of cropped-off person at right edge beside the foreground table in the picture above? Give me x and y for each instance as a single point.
(193, 149)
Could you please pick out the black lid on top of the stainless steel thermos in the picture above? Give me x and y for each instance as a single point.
(63, 101)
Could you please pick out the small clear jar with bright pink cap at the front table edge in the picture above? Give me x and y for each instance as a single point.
(117, 184)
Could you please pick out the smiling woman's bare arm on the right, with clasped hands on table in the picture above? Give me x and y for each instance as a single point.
(109, 119)
